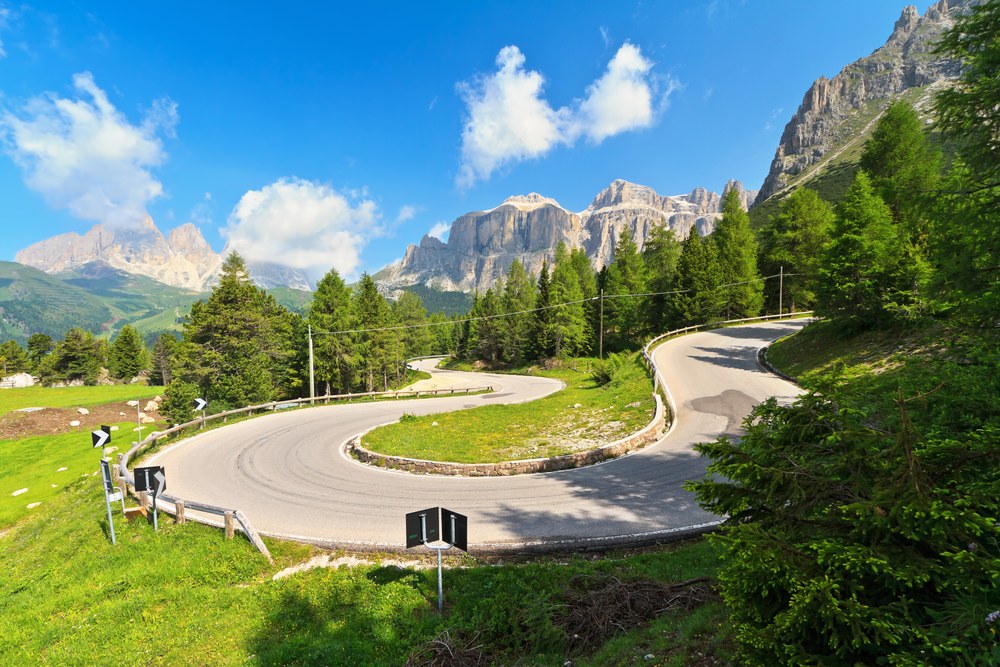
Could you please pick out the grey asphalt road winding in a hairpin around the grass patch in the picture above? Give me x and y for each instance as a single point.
(288, 473)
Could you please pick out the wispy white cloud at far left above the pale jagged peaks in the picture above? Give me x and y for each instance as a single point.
(83, 155)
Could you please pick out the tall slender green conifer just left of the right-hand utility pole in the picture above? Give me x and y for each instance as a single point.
(736, 247)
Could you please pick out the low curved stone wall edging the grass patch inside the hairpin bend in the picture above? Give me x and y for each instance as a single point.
(575, 460)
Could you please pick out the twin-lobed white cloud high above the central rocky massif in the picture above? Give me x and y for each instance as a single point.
(509, 120)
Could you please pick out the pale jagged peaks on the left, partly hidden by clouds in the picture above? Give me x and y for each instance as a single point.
(182, 259)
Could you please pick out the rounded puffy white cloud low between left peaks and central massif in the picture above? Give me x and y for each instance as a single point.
(304, 225)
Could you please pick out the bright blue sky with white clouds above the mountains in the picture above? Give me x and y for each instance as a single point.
(329, 134)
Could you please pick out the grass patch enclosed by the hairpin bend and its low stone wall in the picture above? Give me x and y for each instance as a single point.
(581, 416)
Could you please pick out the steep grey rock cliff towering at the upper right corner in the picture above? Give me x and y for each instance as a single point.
(829, 113)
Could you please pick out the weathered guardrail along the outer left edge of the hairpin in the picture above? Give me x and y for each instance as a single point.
(128, 478)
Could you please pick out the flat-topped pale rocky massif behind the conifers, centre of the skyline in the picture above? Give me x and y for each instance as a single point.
(482, 244)
